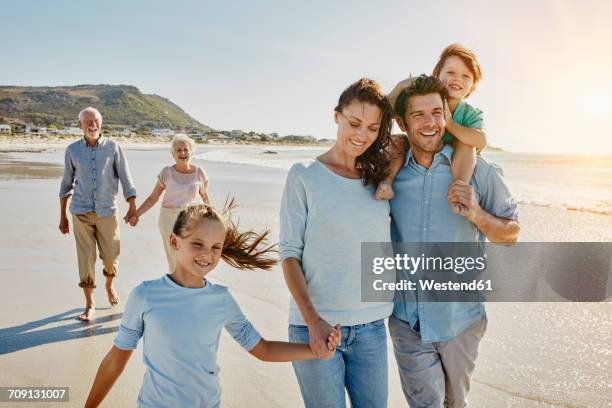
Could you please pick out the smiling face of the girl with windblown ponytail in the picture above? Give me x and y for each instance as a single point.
(199, 250)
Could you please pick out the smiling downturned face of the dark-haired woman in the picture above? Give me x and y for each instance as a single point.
(358, 126)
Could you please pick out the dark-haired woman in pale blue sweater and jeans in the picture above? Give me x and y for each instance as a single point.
(327, 211)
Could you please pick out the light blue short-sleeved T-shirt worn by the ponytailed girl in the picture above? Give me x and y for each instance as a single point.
(181, 328)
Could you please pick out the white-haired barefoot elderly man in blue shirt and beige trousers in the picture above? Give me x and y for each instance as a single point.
(93, 167)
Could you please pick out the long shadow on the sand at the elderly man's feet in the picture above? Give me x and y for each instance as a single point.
(25, 336)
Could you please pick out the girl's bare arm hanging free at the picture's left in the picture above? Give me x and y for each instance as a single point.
(110, 369)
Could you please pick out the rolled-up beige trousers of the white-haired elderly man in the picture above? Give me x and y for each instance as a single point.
(89, 230)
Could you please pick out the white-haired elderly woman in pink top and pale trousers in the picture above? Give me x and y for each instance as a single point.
(183, 183)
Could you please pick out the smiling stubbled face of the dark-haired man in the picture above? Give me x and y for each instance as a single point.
(424, 123)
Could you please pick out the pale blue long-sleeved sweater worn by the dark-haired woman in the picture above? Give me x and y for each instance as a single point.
(324, 218)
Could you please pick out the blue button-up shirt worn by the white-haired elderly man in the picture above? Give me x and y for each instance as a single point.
(92, 174)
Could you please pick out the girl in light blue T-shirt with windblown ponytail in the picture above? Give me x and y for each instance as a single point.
(180, 317)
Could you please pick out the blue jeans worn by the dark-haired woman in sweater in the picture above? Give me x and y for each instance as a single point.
(359, 364)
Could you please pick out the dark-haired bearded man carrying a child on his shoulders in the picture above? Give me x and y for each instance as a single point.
(436, 343)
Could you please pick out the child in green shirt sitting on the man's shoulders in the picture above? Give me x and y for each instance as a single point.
(459, 71)
